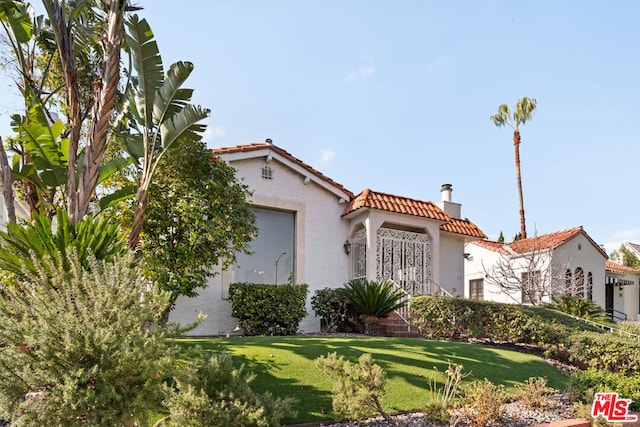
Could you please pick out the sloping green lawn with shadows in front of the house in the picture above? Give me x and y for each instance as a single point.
(285, 367)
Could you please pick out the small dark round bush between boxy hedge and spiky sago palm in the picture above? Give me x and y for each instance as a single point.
(333, 308)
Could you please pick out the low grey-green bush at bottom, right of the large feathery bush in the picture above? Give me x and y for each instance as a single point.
(210, 392)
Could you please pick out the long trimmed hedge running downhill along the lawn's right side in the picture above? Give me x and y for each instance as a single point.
(561, 336)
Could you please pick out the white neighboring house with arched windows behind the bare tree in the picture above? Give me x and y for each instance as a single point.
(536, 268)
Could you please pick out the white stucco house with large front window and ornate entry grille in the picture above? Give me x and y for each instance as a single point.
(313, 230)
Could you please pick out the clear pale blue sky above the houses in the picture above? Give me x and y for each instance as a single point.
(396, 96)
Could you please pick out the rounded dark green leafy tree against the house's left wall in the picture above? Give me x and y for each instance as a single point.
(197, 217)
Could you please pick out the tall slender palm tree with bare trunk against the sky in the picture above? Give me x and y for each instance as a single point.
(521, 114)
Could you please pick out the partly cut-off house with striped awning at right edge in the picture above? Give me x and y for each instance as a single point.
(622, 289)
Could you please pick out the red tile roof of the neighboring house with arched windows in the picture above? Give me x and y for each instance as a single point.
(545, 241)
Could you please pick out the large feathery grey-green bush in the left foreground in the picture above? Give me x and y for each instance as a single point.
(76, 346)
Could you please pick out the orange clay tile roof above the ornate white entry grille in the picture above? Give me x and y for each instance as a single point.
(405, 205)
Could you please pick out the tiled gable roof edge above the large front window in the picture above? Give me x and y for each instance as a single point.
(265, 148)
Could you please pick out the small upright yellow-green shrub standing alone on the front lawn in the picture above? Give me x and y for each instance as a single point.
(357, 388)
